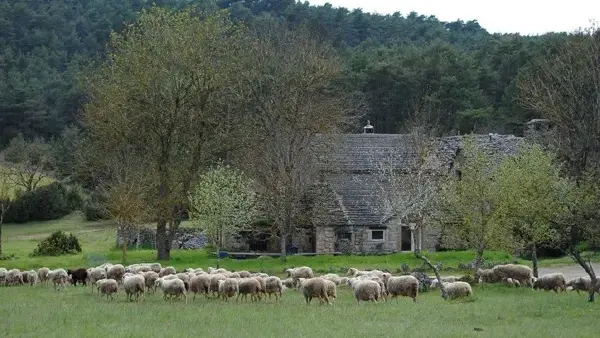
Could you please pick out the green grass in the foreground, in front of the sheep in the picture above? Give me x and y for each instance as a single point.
(496, 311)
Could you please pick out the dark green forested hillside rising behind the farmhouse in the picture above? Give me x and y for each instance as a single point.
(400, 63)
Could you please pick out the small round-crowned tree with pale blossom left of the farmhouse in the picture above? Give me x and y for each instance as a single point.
(223, 203)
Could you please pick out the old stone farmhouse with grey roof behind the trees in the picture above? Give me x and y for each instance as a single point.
(350, 217)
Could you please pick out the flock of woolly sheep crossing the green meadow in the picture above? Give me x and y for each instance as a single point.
(373, 285)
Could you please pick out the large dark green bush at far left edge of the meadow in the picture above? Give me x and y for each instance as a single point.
(48, 202)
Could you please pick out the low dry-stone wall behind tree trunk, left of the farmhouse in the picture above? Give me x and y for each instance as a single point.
(143, 237)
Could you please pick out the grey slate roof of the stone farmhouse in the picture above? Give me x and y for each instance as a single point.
(353, 158)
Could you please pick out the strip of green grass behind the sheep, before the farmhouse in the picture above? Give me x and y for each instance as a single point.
(98, 243)
